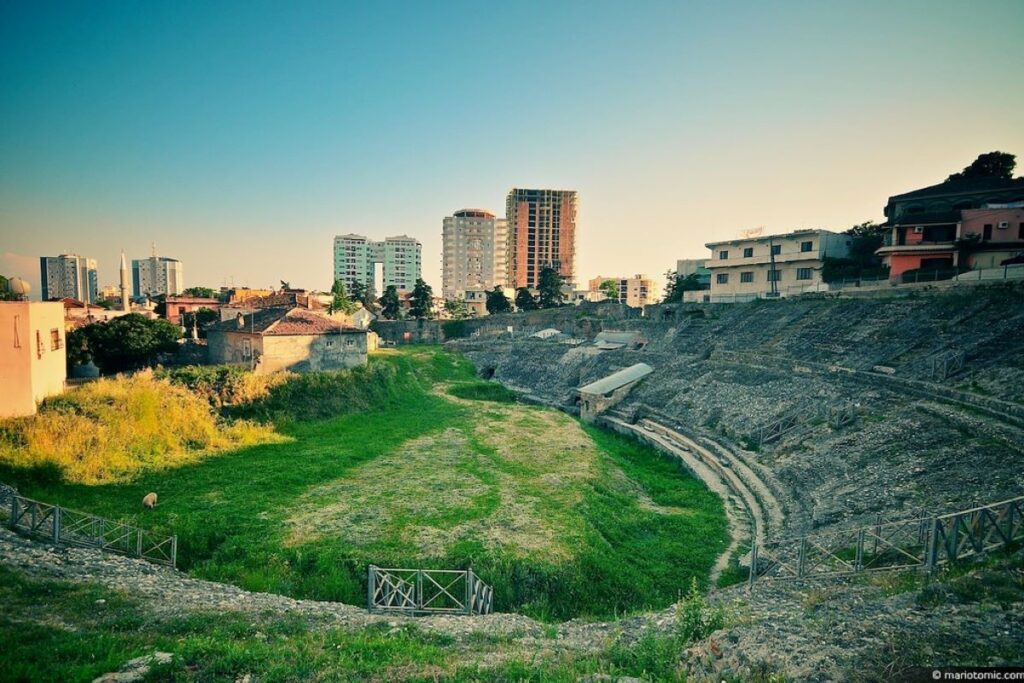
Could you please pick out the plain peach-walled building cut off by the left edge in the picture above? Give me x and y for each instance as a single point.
(33, 361)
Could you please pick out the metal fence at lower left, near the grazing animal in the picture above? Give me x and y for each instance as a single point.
(79, 529)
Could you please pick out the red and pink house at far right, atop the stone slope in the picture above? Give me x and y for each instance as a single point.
(955, 241)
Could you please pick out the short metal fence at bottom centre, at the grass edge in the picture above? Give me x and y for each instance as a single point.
(428, 592)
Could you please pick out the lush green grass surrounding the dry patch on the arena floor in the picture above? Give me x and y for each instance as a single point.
(231, 511)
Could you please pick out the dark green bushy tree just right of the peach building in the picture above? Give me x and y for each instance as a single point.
(129, 343)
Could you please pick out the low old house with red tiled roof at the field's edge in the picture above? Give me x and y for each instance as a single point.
(287, 338)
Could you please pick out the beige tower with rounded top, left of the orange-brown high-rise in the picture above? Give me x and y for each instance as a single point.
(476, 252)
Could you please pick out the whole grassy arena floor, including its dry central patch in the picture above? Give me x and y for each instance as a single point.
(425, 465)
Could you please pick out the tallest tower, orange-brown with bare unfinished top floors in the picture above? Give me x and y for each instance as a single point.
(542, 233)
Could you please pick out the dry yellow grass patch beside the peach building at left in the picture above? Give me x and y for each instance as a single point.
(114, 429)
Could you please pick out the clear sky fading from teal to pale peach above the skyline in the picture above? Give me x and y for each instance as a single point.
(240, 138)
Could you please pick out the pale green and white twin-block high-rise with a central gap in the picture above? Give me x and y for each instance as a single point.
(356, 259)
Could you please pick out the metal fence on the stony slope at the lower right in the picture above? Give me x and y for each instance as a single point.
(921, 543)
